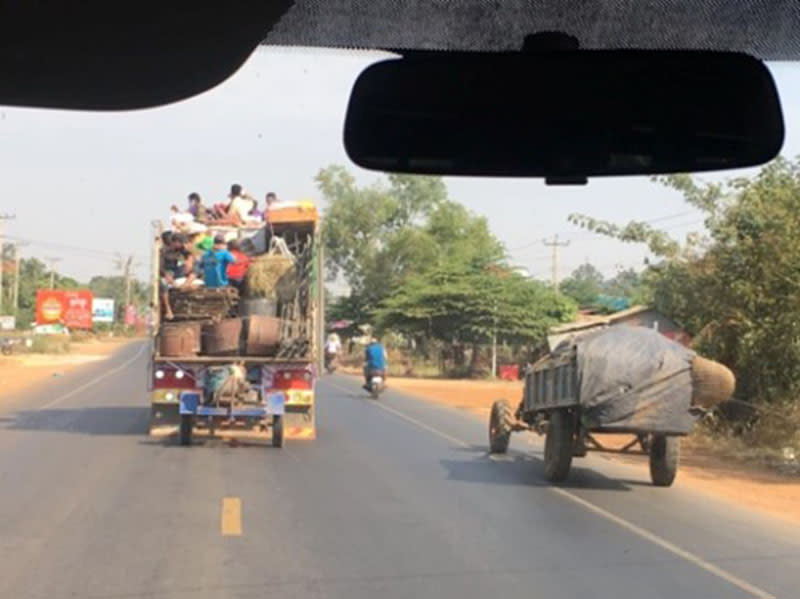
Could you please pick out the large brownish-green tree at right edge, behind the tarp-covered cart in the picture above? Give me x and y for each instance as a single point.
(735, 288)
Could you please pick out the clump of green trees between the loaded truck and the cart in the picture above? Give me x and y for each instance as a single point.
(423, 265)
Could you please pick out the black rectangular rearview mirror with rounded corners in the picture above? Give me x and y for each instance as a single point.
(564, 115)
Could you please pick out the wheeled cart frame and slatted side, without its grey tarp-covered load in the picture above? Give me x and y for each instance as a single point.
(550, 406)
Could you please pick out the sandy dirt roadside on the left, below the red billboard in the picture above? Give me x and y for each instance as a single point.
(28, 370)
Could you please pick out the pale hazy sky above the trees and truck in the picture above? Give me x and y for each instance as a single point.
(85, 187)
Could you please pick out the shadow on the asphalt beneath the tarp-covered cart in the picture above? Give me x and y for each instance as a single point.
(528, 471)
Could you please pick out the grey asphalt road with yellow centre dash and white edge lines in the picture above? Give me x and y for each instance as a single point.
(396, 498)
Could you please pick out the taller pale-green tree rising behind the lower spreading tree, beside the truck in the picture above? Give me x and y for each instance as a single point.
(376, 235)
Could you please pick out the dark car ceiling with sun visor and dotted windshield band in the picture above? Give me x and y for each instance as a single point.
(123, 55)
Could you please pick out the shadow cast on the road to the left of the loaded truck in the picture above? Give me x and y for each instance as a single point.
(100, 420)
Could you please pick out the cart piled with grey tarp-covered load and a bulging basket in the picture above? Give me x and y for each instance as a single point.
(621, 380)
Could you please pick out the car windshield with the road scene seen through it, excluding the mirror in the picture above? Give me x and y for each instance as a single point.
(237, 365)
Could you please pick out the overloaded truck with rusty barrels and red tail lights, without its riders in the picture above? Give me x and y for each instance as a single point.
(243, 362)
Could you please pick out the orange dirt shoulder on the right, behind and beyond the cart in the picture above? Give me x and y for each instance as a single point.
(701, 468)
